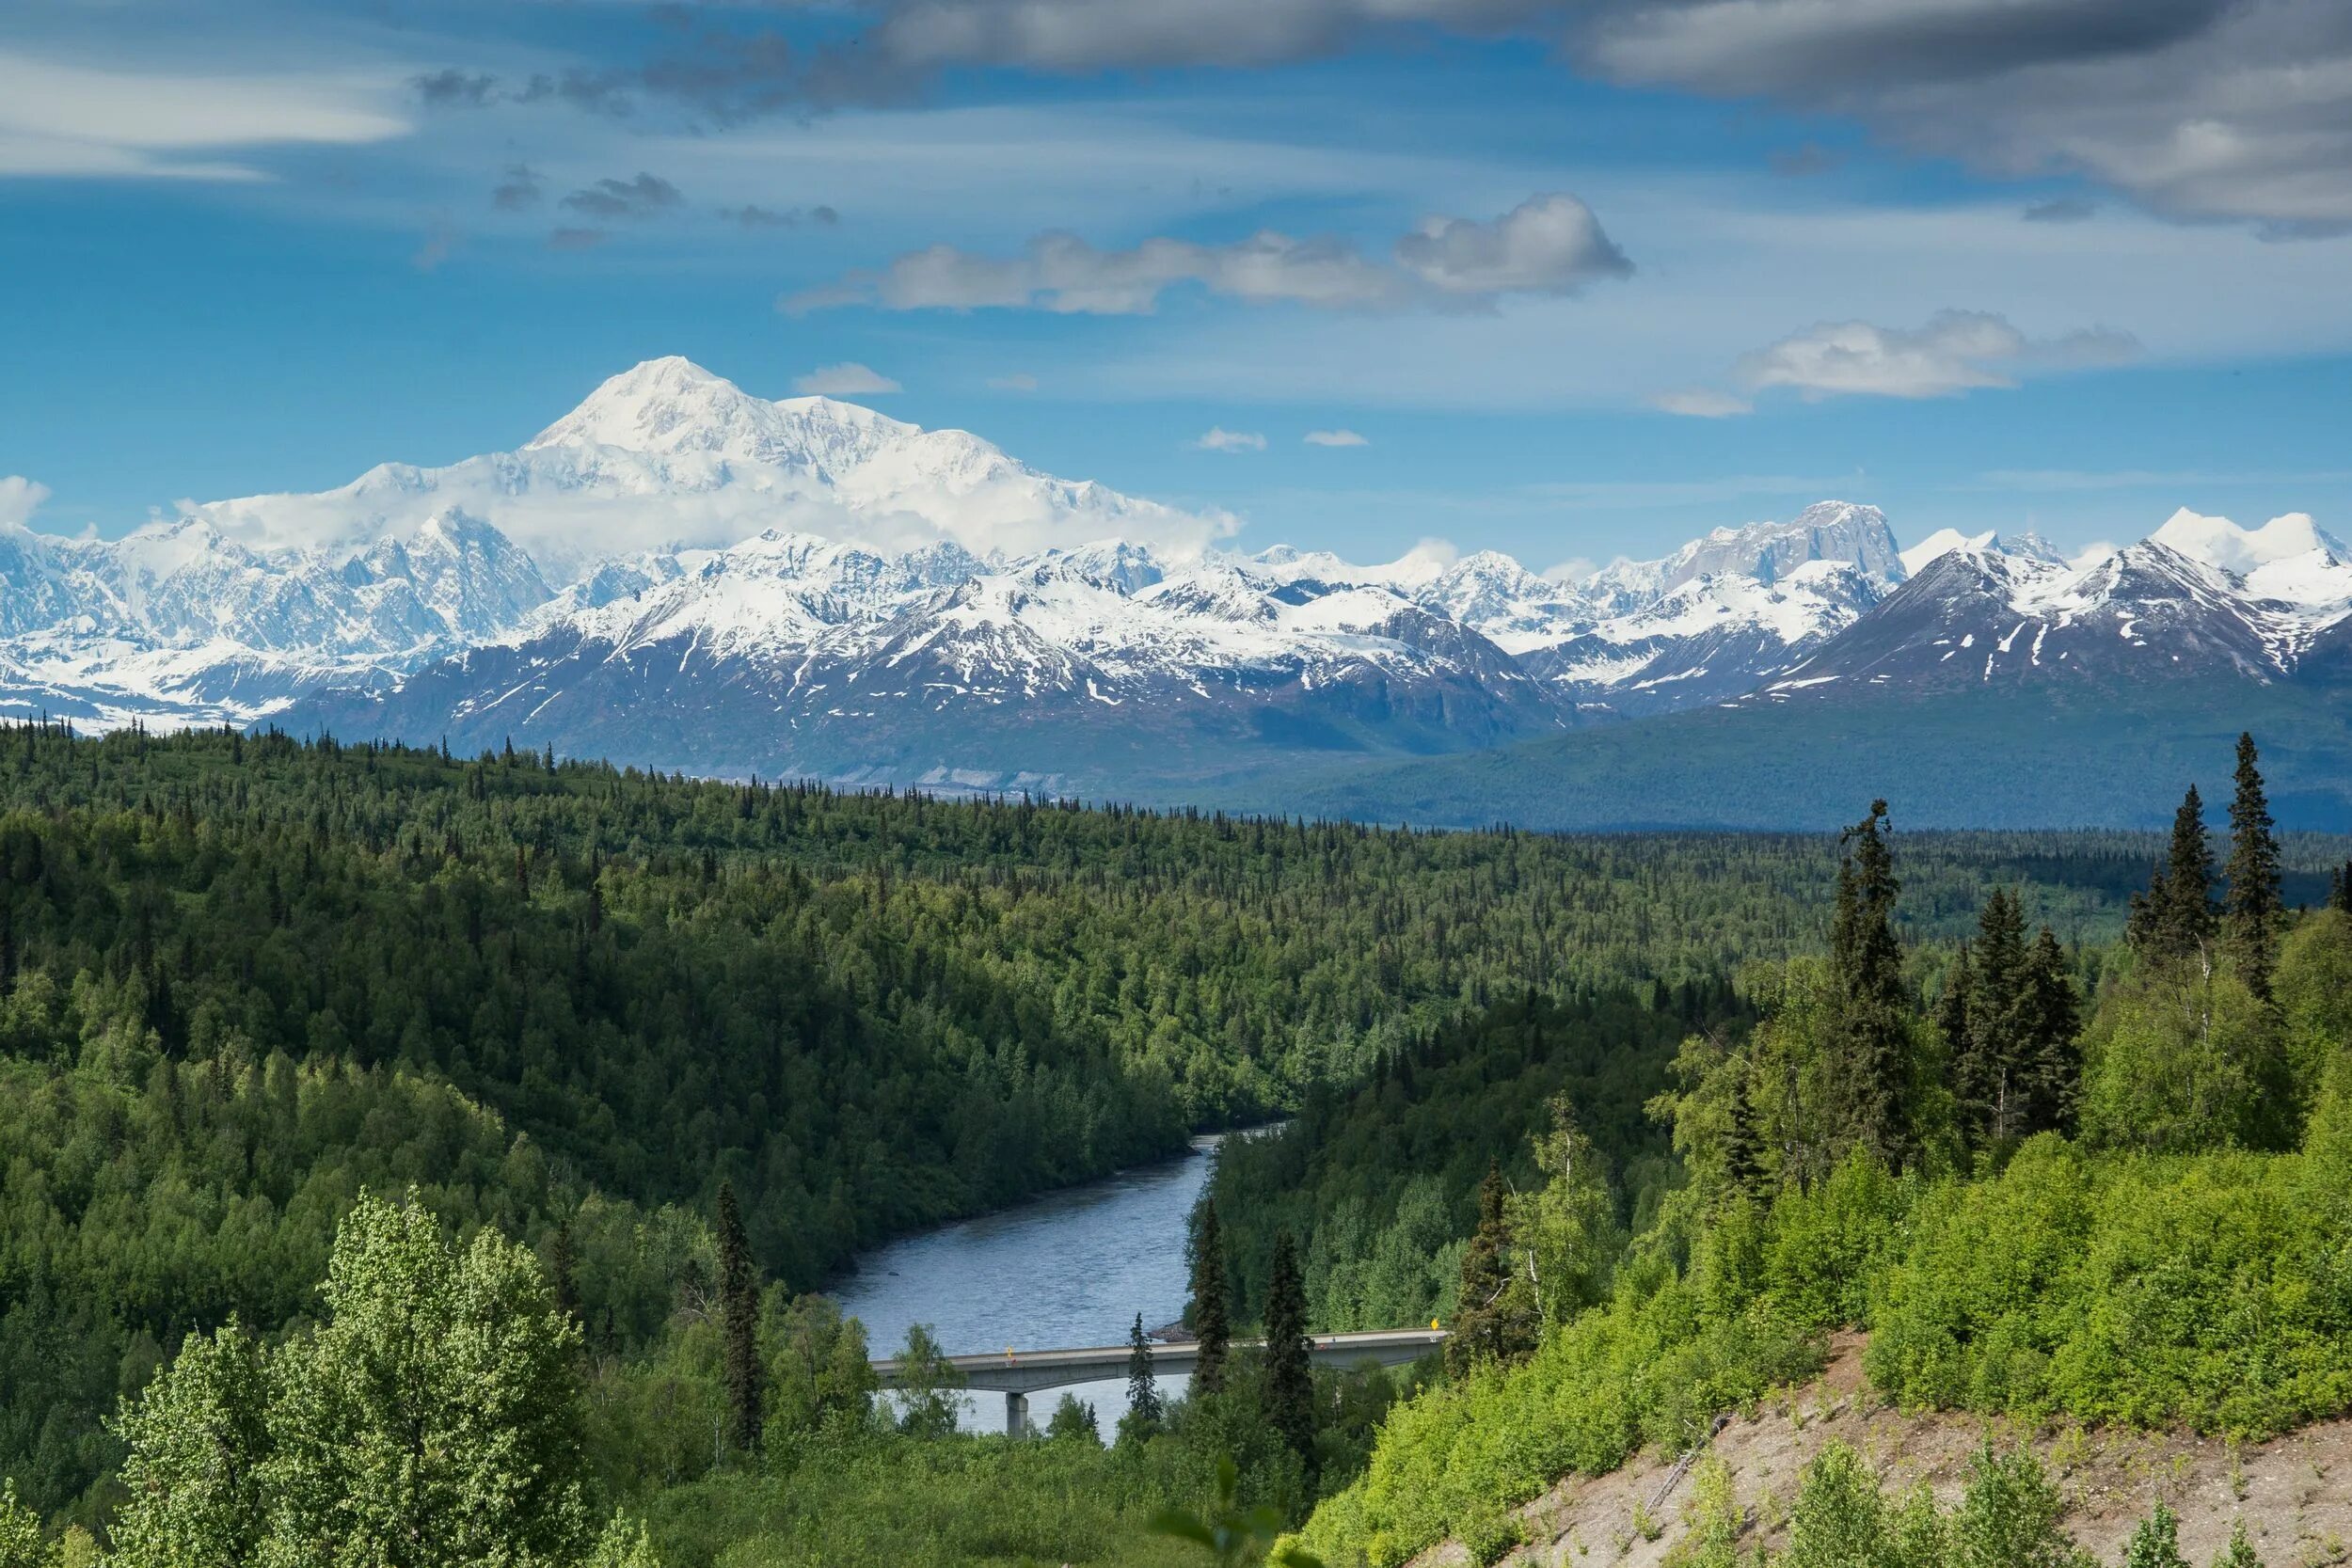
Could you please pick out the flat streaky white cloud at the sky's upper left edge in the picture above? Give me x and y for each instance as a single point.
(72, 121)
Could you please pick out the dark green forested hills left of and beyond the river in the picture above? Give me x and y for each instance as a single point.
(246, 979)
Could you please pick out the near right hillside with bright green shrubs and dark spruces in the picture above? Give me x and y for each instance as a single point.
(2104, 1186)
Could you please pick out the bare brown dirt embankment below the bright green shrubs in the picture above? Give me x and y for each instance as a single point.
(2294, 1492)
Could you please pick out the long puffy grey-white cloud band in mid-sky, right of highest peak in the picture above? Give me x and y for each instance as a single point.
(1546, 246)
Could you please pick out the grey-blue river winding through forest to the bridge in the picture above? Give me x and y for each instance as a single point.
(1071, 1268)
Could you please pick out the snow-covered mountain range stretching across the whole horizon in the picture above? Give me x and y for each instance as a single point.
(688, 577)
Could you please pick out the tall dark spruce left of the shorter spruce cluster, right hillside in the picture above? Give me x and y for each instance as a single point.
(1873, 1014)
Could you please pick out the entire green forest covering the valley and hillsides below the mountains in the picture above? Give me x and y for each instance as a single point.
(443, 1160)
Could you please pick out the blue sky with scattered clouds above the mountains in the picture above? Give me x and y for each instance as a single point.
(1584, 281)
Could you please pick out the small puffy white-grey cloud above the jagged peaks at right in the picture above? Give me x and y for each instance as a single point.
(1956, 351)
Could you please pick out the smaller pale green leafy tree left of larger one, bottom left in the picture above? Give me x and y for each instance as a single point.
(196, 1445)
